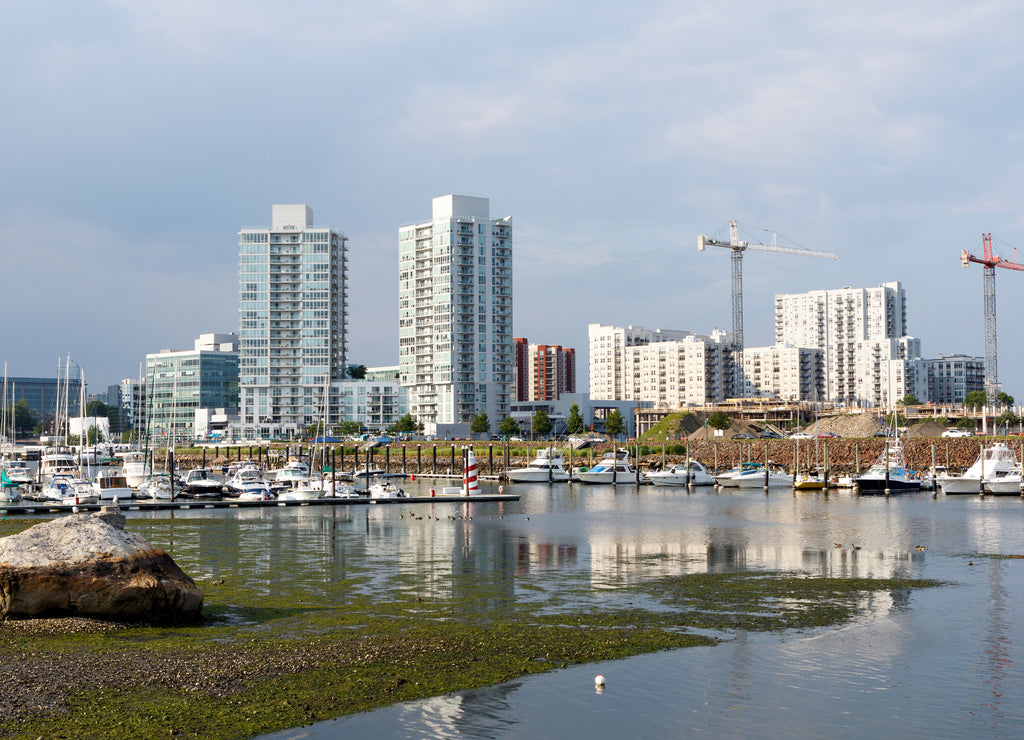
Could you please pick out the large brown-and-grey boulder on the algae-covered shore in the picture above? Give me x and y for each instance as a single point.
(82, 565)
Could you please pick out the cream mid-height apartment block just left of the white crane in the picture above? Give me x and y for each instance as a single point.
(664, 368)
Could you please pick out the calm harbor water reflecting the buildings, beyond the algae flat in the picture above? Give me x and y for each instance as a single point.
(946, 662)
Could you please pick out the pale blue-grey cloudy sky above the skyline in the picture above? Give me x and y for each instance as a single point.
(138, 138)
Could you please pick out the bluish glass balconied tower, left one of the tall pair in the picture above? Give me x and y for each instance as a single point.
(292, 321)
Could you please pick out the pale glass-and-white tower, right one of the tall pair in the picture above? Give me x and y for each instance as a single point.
(455, 314)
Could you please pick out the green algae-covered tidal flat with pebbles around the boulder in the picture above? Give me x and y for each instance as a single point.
(287, 641)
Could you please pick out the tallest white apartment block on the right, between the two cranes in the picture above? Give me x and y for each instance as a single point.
(861, 331)
